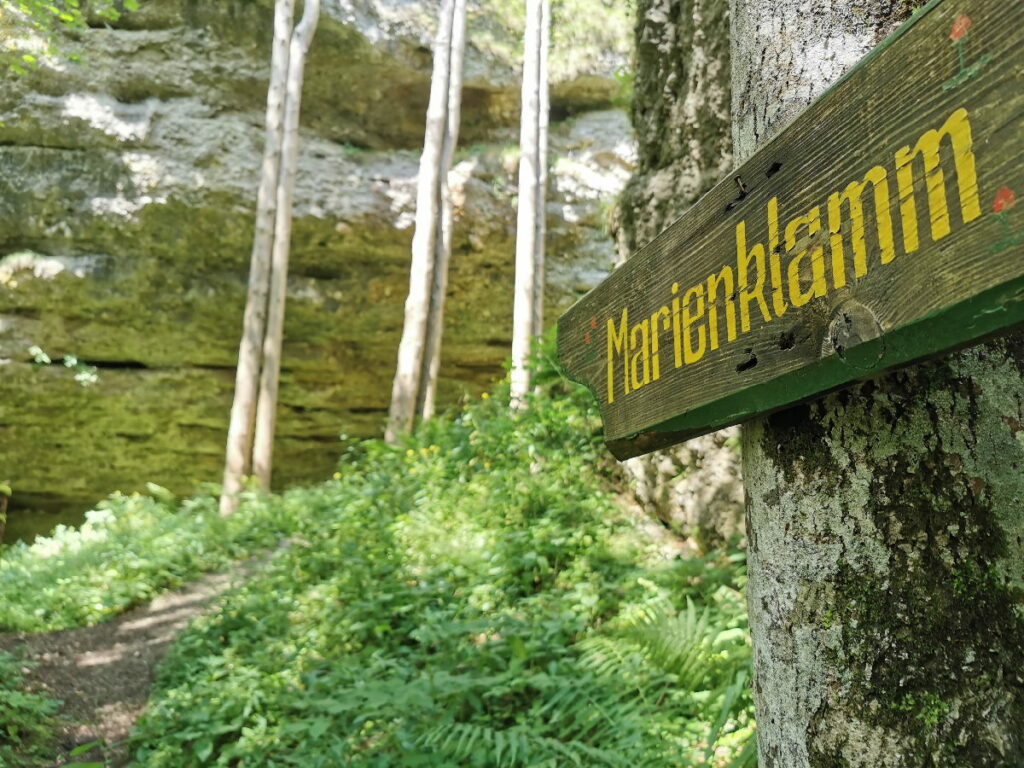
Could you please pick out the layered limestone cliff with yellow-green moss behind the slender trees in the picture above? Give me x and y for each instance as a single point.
(127, 194)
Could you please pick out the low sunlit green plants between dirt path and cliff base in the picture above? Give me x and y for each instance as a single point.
(131, 549)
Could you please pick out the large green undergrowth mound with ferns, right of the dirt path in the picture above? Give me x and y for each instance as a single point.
(474, 598)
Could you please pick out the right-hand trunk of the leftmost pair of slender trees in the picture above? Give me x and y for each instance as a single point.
(268, 406)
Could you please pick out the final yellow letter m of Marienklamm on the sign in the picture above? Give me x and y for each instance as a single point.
(959, 131)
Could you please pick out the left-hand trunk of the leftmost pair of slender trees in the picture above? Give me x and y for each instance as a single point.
(247, 376)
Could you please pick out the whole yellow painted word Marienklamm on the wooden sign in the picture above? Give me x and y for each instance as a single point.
(693, 318)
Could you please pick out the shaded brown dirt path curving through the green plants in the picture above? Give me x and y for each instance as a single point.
(104, 673)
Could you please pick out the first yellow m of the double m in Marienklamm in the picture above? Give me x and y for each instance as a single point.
(854, 196)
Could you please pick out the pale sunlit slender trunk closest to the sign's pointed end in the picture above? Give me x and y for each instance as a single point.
(531, 202)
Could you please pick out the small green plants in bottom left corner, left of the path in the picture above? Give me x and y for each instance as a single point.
(26, 719)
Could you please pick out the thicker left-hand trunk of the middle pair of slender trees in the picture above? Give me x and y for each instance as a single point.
(412, 350)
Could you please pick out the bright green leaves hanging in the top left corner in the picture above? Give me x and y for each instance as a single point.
(32, 28)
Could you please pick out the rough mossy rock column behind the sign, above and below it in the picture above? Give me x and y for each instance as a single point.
(681, 117)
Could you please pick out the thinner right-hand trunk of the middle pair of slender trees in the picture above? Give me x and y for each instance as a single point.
(436, 321)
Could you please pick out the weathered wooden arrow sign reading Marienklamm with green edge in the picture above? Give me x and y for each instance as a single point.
(882, 227)
